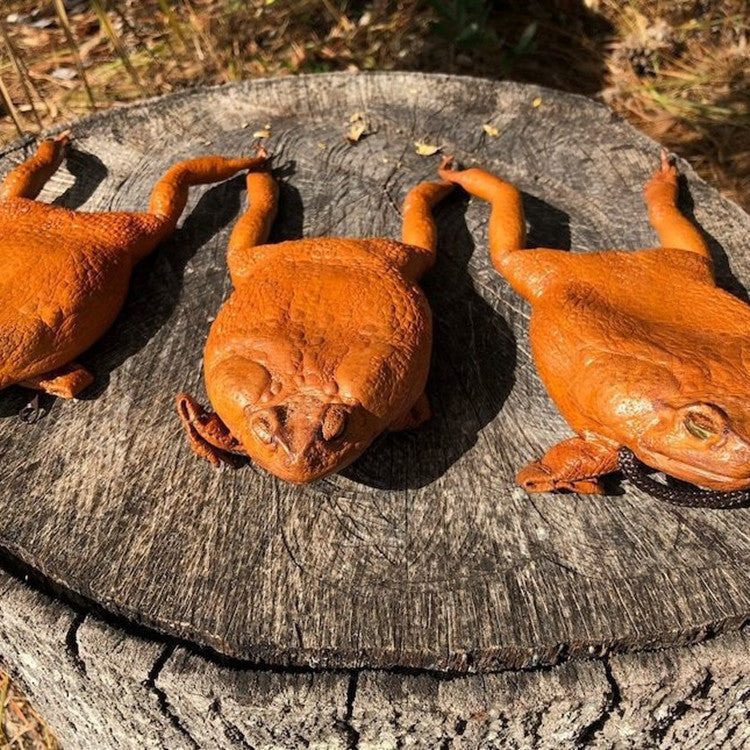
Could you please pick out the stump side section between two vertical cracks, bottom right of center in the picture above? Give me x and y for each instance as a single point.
(510, 709)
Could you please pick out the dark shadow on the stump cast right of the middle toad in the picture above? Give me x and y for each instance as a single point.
(471, 375)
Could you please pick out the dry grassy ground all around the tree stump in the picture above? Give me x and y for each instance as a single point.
(676, 69)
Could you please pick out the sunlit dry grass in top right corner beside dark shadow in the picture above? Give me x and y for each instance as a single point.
(684, 80)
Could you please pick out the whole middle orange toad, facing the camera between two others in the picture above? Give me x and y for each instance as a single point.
(323, 344)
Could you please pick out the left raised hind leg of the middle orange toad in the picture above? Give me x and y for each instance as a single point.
(253, 227)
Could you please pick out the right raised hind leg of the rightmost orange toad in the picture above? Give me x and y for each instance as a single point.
(674, 230)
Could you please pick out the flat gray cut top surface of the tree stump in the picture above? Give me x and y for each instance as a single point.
(423, 553)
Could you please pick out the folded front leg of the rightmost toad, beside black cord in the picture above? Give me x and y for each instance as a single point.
(575, 465)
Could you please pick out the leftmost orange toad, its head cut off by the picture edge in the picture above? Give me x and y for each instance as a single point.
(64, 274)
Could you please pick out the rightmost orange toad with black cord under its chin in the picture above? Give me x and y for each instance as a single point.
(659, 364)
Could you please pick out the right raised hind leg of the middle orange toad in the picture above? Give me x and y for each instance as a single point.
(419, 228)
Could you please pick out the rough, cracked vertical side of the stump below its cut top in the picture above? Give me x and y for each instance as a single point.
(100, 686)
